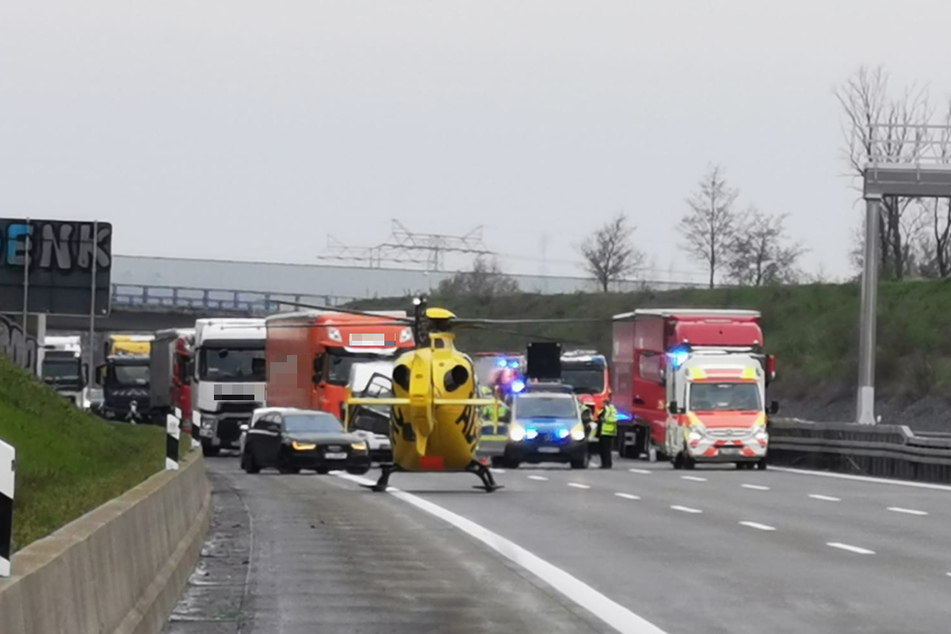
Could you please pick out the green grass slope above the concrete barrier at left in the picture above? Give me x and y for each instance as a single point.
(68, 462)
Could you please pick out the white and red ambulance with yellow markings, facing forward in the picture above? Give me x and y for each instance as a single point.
(716, 409)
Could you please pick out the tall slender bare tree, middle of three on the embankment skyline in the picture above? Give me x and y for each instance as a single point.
(709, 227)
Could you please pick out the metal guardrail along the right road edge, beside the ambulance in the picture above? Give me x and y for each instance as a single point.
(887, 451)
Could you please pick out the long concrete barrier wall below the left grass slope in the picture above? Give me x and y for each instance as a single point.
(118, 569)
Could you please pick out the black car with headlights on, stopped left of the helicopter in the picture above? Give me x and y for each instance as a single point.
(292, 440)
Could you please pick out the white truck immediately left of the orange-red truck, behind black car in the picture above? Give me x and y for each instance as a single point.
(229, 380)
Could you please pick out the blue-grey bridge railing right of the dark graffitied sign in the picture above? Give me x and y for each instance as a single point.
(142, 296)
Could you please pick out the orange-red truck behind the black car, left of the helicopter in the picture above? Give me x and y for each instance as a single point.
(310, 354)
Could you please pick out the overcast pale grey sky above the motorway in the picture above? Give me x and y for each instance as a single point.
(251, 130)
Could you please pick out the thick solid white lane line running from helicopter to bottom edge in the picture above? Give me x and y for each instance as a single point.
(614, 614)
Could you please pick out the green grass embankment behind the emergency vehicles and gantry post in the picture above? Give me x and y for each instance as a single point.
(812, 329)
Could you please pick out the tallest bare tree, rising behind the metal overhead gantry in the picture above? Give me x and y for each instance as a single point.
(866, 104)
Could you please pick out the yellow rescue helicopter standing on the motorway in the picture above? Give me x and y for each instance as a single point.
(434, 425)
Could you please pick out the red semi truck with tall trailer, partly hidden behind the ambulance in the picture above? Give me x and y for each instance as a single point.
(648, 341)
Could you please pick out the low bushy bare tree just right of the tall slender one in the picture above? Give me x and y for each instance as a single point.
(761, 252)
